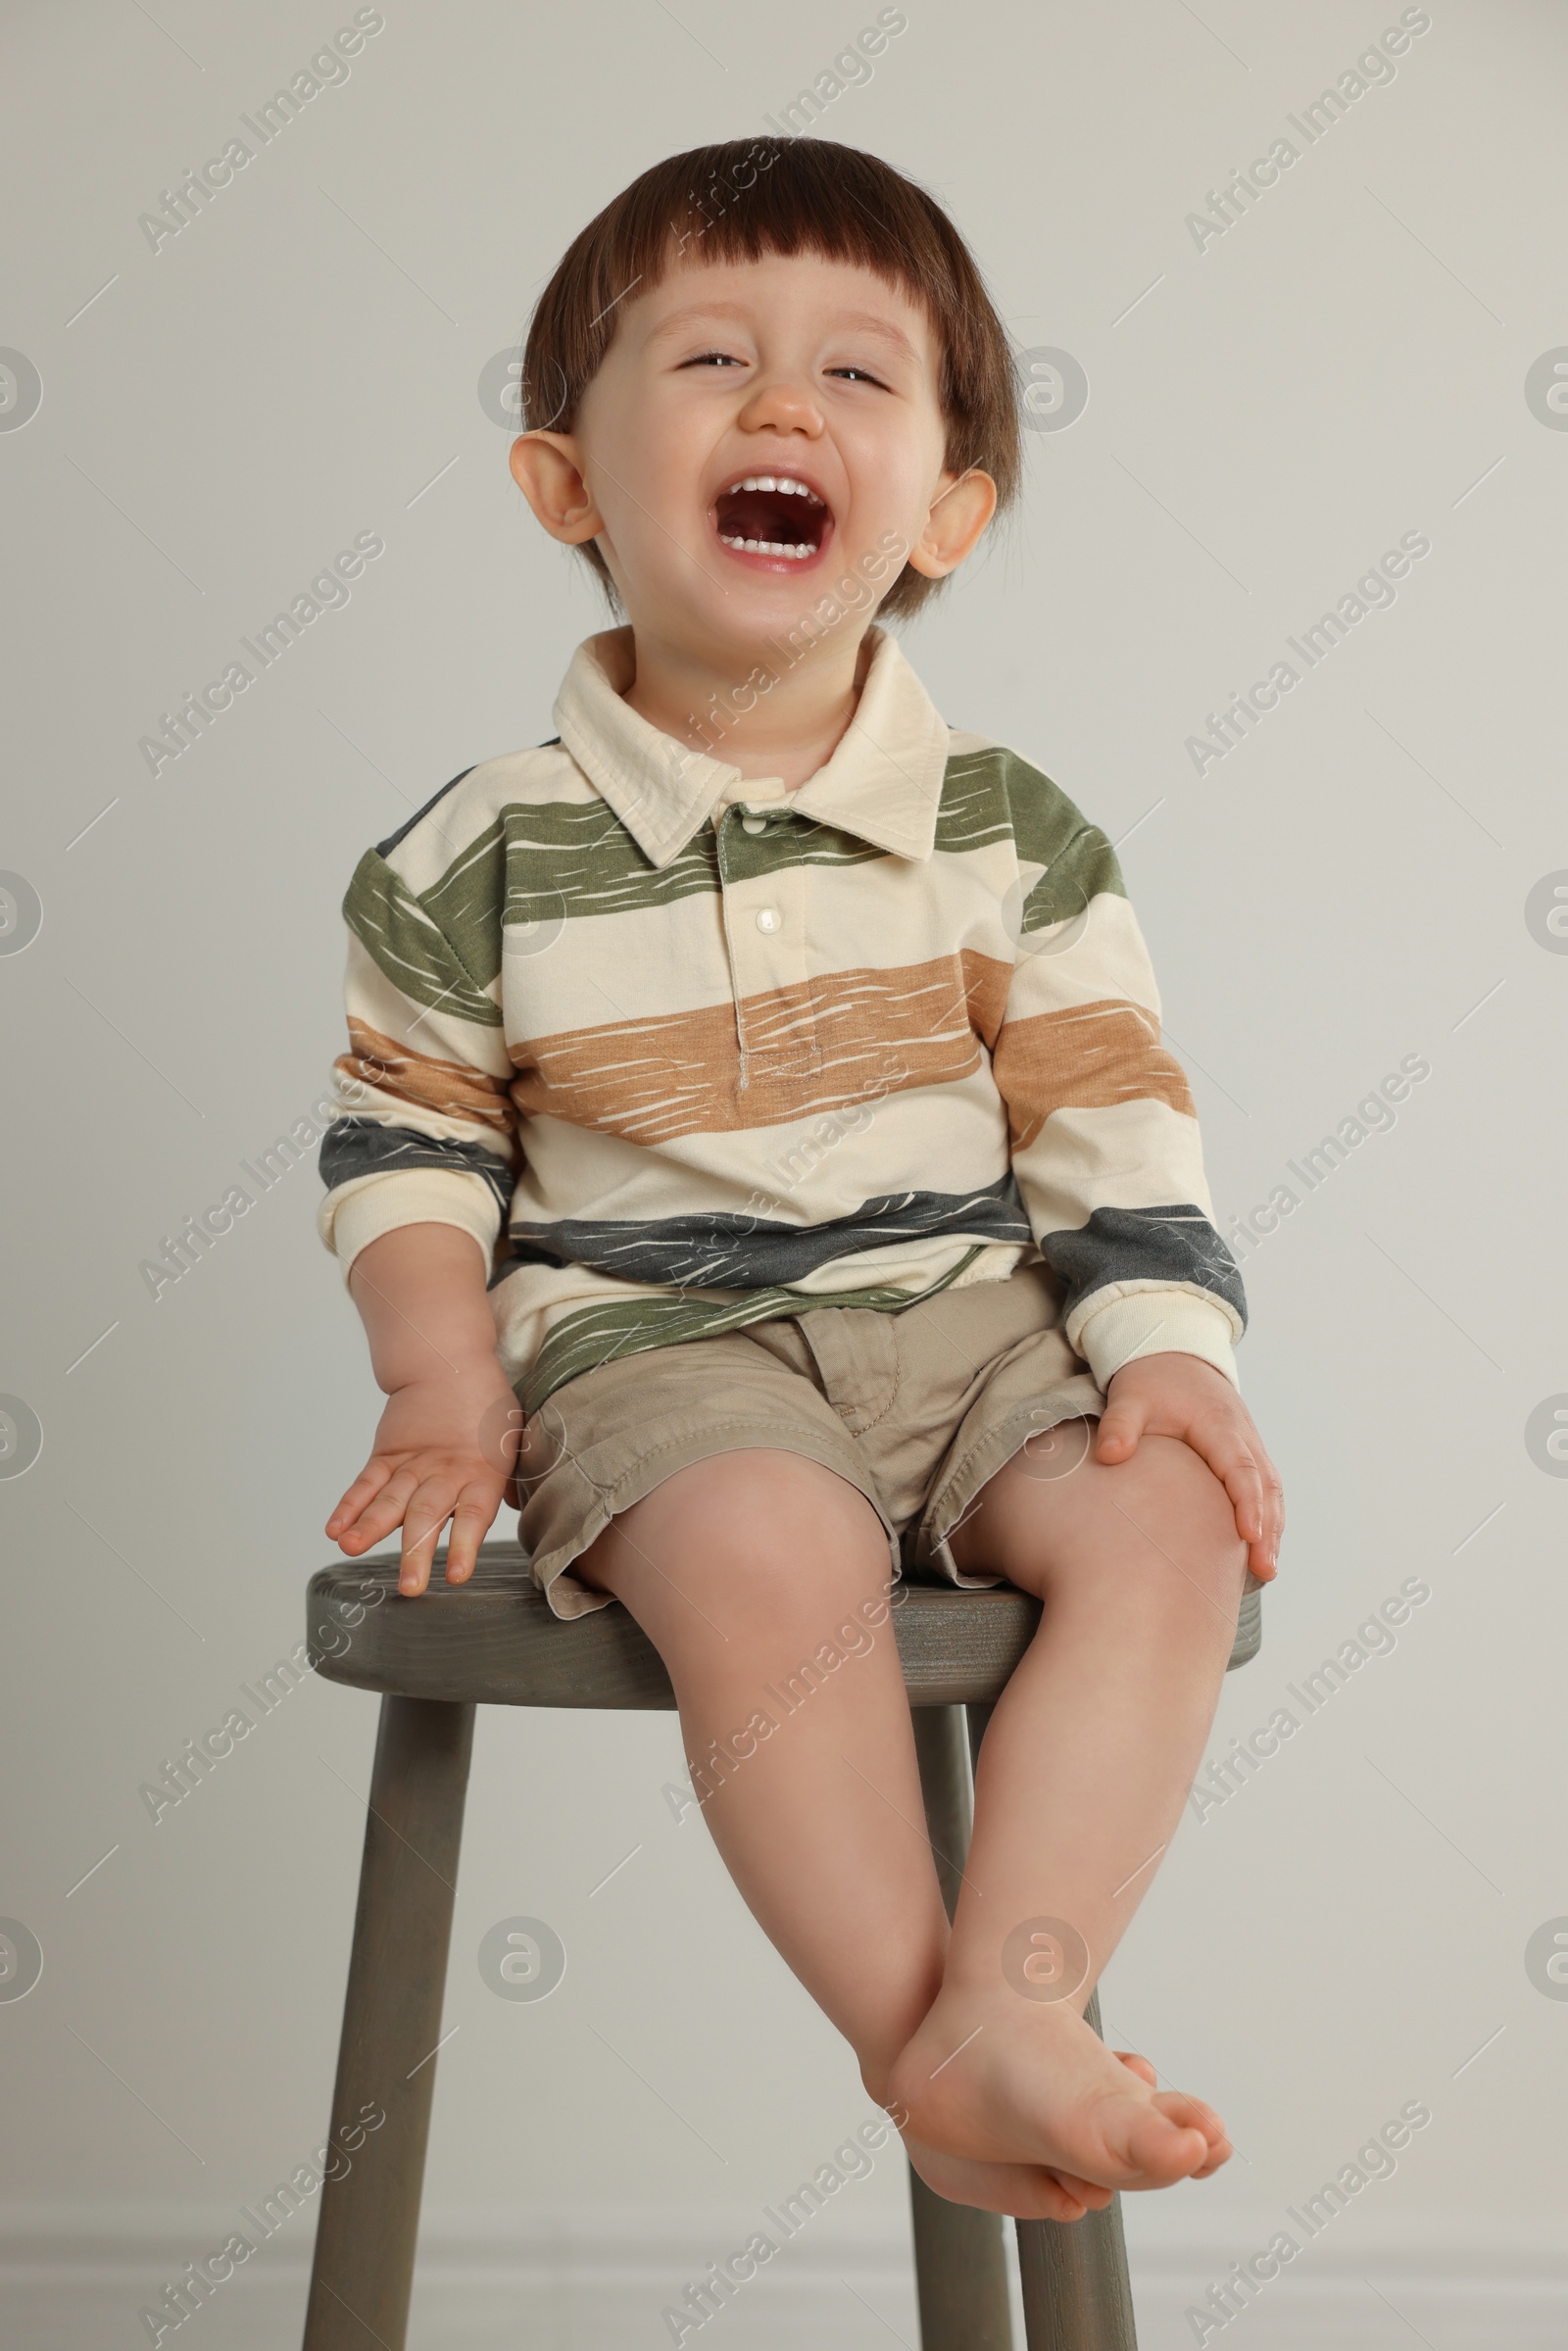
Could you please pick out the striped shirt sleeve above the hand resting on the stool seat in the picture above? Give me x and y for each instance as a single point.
(427, 1130)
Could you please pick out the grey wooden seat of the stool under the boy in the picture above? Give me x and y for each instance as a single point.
(497, 1642)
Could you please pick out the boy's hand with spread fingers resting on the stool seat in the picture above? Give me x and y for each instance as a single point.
(436, 1459)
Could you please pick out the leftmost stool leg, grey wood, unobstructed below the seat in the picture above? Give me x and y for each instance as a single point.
(363, 2270)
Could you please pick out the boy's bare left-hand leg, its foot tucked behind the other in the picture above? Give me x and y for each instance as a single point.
(742, 1569)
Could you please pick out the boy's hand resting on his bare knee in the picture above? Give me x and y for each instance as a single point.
(1181, 1395)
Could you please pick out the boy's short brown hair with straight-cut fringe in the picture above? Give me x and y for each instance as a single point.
(784, 196)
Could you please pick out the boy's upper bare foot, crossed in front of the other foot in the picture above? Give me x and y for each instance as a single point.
(998, 2079)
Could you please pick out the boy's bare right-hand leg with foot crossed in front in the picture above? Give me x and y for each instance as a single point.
(1080, 1788)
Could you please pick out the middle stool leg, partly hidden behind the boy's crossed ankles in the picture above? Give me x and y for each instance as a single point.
(960, 2253)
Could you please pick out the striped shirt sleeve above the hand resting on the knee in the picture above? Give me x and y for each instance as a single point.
(1104, 1134)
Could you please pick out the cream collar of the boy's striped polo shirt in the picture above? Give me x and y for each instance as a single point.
(883, 782)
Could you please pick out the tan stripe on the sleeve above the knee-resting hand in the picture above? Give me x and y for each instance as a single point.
(1087, 1057)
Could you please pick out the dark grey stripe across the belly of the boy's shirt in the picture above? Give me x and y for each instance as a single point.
(718, 1252)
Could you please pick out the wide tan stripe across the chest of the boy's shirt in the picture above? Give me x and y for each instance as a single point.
(822, 1045)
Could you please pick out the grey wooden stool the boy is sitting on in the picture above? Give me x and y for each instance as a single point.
(495, 1642)
